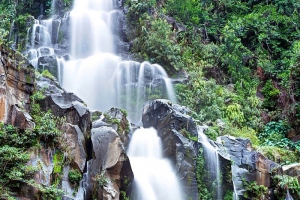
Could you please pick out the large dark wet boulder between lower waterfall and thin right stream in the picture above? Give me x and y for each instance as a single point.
(171, 121)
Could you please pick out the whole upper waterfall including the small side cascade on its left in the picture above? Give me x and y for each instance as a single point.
(93, 71)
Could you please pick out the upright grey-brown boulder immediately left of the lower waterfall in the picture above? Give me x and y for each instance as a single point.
(109, 172)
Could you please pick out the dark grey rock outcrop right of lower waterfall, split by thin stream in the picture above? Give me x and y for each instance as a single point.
(237, 158)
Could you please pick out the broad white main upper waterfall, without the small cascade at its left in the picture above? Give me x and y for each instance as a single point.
(100, 77)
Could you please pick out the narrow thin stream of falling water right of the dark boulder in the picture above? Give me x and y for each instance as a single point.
(211, 157)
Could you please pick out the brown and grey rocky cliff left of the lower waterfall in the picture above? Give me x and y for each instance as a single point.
(79, 142)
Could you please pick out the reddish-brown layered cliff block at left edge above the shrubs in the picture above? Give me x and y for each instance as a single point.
(16, 86)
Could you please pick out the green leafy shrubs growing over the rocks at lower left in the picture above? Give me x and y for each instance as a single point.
(16, 146)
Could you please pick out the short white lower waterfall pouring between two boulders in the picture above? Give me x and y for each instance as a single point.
(154, 176)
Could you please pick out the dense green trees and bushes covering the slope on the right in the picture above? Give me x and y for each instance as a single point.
(242, 58)
